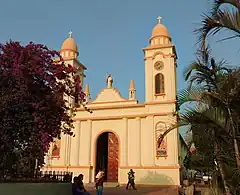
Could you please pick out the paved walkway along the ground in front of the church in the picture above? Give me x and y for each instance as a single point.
(139, 191)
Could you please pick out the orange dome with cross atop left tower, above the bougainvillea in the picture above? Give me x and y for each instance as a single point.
(69, 48)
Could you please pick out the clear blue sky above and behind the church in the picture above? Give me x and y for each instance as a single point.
(110, 33)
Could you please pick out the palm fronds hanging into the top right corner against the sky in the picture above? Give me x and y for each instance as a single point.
(221, 17)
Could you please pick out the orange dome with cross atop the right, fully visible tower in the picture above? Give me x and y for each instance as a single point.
(160, 34)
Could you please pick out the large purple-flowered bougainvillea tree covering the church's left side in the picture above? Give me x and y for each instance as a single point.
(33, 106)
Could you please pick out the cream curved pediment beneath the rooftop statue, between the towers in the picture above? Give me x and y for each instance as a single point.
(109, 95)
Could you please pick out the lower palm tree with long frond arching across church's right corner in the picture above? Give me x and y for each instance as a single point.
(206, 118)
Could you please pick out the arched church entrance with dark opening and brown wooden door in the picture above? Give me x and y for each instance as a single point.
(107, 155)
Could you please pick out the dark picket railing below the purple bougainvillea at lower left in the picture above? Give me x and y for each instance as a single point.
(39, 177)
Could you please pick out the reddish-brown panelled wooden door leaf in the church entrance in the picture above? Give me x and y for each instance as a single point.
(113, 155)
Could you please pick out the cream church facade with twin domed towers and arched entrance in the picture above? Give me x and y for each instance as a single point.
(121, 133)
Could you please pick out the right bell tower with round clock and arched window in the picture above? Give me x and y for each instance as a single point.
(160, 66)
